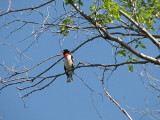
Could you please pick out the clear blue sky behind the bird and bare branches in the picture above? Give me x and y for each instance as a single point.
(62, 100)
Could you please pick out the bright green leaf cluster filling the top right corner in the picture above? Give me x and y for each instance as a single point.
(144, 12)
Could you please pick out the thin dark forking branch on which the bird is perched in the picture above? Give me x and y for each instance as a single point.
(26, 79)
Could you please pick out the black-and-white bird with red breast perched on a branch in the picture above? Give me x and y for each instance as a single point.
(68, 64)
